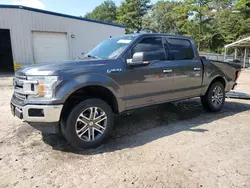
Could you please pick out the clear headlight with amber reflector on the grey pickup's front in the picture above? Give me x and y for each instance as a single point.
(44, 87)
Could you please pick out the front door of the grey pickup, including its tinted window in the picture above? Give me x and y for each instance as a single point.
(146, 84)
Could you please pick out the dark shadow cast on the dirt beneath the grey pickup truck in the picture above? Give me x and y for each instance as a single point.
(146, 125)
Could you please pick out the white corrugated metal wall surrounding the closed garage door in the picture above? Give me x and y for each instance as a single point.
(22, 22)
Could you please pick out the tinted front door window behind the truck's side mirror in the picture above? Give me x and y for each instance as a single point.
(152, 46)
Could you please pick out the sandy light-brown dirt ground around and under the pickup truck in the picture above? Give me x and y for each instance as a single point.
(171, 145)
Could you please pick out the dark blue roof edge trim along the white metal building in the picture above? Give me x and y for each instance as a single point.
(60, 14)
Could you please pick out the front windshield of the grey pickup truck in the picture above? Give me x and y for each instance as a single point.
(111, 48)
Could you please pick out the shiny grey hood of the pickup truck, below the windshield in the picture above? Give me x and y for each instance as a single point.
(56, 68)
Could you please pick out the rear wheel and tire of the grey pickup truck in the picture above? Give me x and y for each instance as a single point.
(214, 99)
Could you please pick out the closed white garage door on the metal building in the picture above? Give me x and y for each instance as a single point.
(50, 46)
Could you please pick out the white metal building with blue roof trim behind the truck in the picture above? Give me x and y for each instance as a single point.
(29, 35)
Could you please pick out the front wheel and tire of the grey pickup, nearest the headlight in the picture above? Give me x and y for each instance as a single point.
(89, 124)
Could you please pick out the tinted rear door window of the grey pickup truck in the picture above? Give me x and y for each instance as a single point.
(181, 49)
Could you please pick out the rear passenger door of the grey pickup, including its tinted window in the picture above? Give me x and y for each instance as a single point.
(186, 68)
